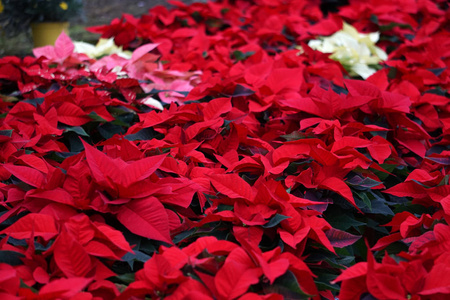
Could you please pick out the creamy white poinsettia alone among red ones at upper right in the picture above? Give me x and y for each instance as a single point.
(355, 51)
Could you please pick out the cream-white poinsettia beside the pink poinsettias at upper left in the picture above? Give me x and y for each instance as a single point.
(104, 47)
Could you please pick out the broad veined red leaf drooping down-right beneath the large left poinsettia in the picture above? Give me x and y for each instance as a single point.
(146, 217)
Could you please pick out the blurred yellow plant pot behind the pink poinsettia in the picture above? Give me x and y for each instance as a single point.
(46, 33)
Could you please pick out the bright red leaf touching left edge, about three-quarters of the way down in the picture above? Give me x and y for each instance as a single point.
(33, 224)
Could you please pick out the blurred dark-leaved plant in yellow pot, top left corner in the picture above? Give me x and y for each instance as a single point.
(47, 18)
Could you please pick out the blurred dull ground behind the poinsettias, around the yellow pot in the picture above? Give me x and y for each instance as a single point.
(96, 12)
